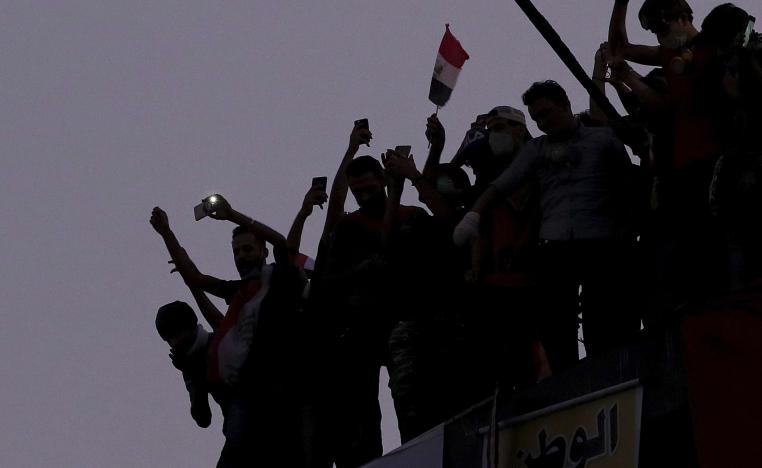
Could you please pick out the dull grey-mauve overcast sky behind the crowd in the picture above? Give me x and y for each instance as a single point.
(110, 108)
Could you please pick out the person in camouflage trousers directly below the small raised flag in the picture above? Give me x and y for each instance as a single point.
(429, 346)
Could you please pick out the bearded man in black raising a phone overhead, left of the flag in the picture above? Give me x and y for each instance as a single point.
(352, 292)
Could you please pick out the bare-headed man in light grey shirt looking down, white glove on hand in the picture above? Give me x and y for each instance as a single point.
(580, 172)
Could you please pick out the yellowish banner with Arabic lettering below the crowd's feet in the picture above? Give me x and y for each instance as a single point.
(598, 430)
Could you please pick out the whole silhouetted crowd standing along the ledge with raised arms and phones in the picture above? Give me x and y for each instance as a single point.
(486, 287)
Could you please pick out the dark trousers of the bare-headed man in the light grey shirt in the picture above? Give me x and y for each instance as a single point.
(594, 277)
